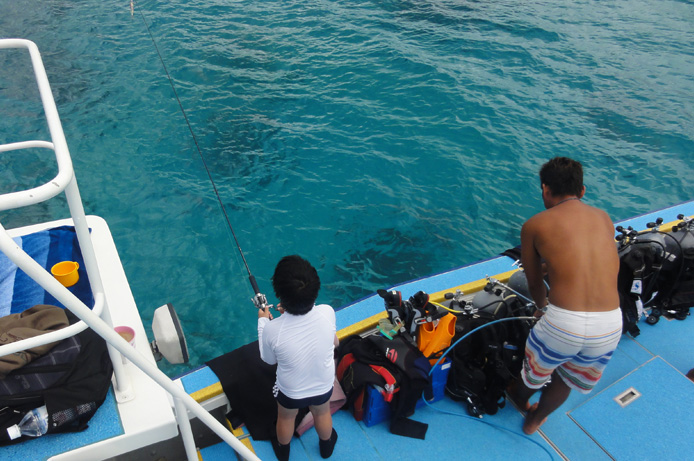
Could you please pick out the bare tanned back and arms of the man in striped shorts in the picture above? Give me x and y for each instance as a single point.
(576, 242)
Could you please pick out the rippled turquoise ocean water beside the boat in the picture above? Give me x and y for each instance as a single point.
(382, 140)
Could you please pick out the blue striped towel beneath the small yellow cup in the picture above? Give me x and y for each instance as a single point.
(18, 292)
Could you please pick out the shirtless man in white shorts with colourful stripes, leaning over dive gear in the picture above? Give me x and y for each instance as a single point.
(582, 322)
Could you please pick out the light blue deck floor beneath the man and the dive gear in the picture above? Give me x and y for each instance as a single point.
(655, 425)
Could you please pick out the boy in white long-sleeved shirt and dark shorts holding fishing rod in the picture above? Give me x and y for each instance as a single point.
(301, 342)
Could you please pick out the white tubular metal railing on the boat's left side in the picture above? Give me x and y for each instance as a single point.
(65, 182)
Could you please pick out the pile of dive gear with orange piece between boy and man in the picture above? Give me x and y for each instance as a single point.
(481, 366)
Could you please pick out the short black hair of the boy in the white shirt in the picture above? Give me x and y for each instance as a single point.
(296, 284)
